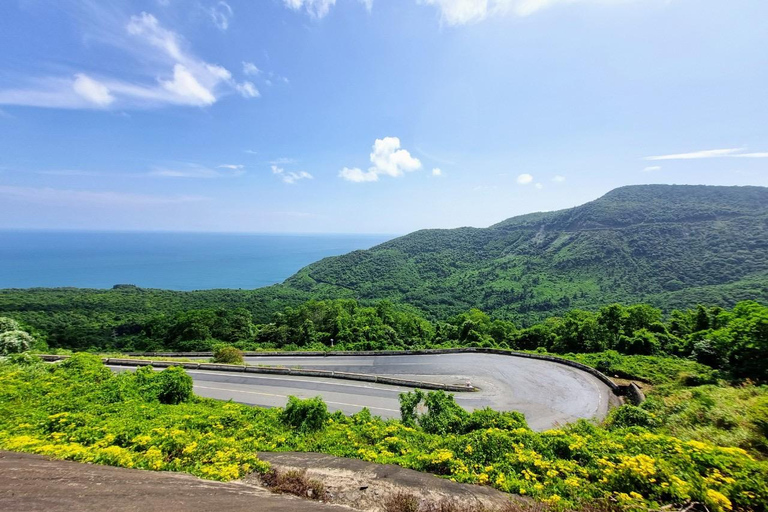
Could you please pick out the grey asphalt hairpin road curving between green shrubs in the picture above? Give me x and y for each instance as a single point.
(549, 394)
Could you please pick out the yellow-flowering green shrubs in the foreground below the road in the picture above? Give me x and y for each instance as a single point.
(59, 411)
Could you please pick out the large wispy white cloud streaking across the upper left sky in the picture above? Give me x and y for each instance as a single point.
(180, 77)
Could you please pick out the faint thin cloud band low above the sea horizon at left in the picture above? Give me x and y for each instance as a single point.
(48, 196)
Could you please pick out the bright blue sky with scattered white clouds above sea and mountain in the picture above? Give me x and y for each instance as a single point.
(378, 116)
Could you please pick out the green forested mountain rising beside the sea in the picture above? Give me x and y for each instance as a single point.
(668, 245)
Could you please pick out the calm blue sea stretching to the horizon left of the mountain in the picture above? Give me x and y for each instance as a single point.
(173, 261)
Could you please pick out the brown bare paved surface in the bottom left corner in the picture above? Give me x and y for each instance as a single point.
(31, 483)
